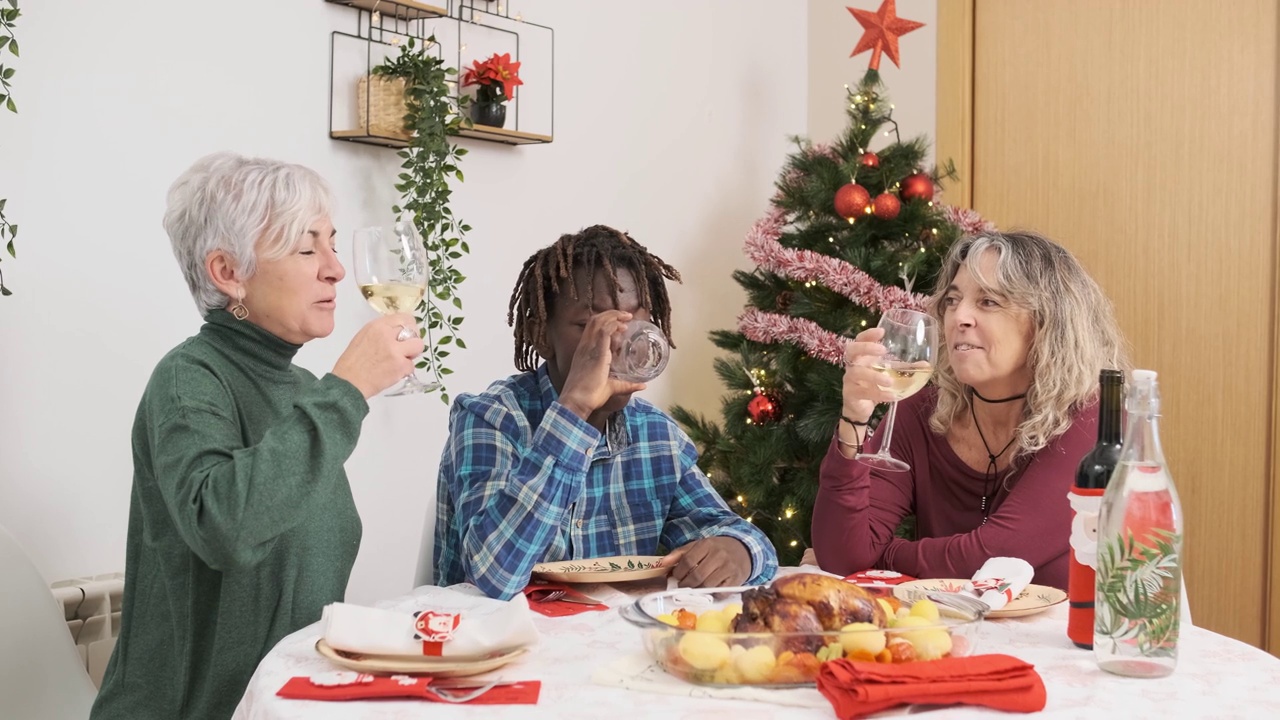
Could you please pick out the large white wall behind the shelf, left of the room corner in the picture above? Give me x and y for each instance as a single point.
(679, 147)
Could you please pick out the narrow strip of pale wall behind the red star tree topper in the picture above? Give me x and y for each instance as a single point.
(913, 89)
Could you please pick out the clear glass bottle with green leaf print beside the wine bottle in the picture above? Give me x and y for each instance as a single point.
(1140, 564)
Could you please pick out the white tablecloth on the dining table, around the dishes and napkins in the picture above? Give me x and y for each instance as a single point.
(595, 666)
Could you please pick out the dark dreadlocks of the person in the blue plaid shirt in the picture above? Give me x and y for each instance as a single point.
(596, 248)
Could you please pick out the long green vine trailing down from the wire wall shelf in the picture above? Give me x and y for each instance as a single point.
(433, 116)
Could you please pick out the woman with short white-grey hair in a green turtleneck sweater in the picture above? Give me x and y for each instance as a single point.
(243, 525)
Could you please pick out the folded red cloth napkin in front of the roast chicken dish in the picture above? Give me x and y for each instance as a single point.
(1003, 682)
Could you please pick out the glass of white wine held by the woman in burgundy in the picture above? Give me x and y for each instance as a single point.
(911, 350)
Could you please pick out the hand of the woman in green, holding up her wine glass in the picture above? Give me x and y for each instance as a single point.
(376, 359)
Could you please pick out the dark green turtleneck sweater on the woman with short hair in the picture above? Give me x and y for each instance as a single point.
(241, 523)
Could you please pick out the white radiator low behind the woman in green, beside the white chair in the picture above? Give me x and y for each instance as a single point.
(93, 612)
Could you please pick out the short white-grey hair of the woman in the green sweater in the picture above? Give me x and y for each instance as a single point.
(250, 208)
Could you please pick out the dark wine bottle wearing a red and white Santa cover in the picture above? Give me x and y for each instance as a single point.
(1086, 498)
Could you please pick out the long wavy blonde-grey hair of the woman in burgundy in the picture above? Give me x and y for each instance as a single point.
(1076, 331)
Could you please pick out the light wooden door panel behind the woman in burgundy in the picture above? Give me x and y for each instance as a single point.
(1146, 142)
